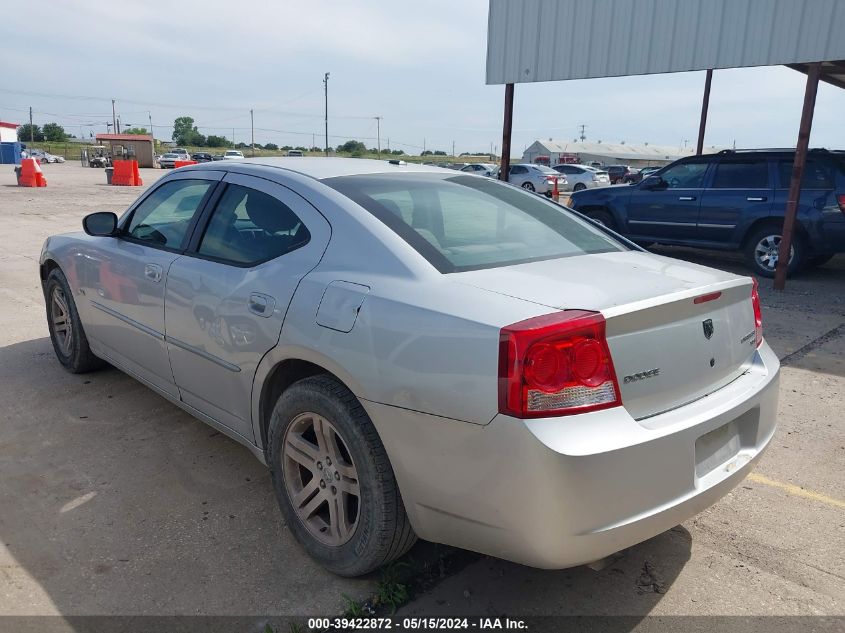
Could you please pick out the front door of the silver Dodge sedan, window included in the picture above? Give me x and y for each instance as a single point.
(125, 278)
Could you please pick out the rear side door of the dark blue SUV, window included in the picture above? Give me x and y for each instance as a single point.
(740, 191)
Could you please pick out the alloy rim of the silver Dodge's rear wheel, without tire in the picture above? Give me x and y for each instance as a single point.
(321, 479)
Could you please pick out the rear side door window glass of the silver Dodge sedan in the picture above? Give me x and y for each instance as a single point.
(248, 227)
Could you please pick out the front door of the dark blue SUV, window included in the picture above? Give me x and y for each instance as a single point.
(669, 211)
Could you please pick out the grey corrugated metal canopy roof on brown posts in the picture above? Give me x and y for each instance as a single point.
(549, 40)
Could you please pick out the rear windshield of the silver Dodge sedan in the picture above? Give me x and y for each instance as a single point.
(463, 223)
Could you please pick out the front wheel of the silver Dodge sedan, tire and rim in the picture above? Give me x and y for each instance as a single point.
(66, 332)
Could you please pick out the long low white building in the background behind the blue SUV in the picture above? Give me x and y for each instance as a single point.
(635, 155)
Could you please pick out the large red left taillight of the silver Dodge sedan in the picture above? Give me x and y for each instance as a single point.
(556, 364)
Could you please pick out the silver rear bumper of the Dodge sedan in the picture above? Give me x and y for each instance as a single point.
(559, 492)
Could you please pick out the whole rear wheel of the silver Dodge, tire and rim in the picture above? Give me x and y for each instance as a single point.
(321, 441)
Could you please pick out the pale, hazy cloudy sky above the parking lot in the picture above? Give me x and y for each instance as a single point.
(419, 65)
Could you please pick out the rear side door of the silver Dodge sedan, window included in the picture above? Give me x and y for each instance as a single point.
(226, 299)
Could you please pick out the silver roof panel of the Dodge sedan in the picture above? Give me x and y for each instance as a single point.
(330, 167)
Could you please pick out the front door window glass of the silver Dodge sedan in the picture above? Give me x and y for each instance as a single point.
(163, 218)
